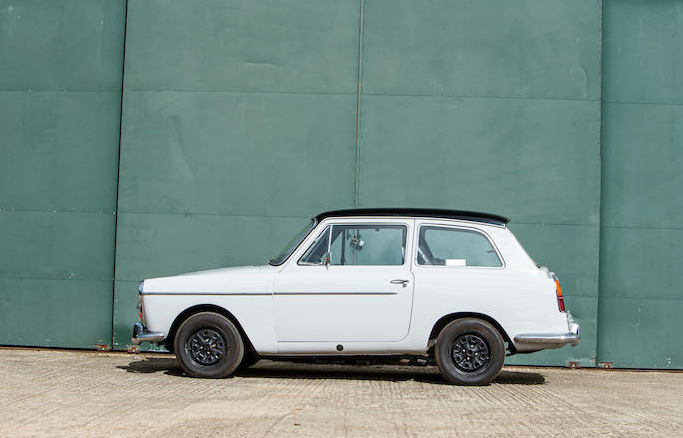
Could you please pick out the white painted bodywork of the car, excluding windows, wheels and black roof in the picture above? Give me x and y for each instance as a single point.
(296, 309)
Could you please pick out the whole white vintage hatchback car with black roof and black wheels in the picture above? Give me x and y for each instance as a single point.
(454, 286)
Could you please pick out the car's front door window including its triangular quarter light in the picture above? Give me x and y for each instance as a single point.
(359, 245)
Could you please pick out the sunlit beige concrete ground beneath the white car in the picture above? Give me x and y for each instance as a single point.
(86, 394)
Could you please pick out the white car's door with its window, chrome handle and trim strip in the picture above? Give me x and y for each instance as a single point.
(353, 283)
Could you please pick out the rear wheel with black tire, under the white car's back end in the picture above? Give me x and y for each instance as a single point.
(469, 351)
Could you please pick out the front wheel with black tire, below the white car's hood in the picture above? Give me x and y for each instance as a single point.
(208, 345)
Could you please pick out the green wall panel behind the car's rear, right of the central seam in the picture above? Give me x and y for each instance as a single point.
(453, 118)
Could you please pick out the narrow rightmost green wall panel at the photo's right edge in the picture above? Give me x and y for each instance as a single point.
(641, 300)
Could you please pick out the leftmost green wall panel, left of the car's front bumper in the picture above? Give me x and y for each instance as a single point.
(60, 106)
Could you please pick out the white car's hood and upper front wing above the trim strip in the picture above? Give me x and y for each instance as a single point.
(241, 279)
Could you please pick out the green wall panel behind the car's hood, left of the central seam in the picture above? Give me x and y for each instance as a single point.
(232, 138)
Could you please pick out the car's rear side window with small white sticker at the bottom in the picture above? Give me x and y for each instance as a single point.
(445, 246)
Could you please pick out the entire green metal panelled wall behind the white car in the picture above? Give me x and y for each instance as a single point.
(241, 119)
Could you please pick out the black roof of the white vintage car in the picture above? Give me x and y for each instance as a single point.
(472, 216)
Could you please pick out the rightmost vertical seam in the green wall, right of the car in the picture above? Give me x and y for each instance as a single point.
(600, 202)
